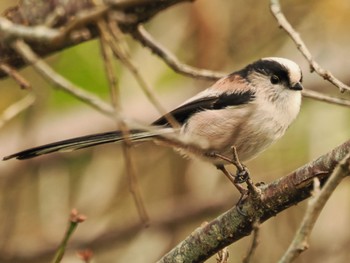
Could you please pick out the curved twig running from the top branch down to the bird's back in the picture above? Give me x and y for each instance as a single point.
(141, 35)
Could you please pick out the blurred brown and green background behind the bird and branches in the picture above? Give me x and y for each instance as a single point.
(179, 195)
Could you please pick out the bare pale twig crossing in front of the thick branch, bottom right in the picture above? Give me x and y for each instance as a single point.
(315, 206)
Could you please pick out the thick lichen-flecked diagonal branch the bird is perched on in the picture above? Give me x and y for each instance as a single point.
(276, 197)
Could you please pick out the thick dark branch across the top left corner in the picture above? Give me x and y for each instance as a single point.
(29, 21)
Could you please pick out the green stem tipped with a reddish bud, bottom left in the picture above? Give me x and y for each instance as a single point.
(75, 219)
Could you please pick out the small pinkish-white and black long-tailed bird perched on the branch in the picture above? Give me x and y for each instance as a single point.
(248, 109)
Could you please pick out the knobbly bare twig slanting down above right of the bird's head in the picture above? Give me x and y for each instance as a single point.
(283, 22)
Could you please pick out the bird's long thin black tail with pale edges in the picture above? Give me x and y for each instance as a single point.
(83, 142)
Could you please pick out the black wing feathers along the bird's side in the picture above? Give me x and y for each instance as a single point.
(184, 112)
